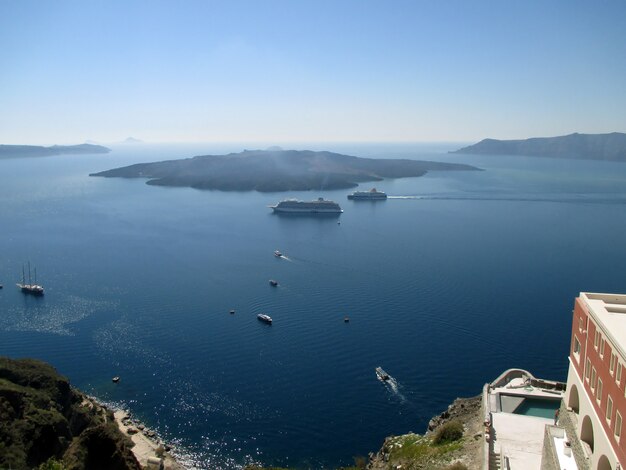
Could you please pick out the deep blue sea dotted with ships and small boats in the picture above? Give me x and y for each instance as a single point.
(455, 278)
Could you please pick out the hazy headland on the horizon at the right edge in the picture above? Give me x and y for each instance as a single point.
(610, 147)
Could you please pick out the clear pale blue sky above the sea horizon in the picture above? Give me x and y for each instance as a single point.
(305, 71)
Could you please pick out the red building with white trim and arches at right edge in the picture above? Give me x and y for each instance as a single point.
(596, 380)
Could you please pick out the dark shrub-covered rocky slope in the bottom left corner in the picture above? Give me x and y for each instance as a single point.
(44, 421)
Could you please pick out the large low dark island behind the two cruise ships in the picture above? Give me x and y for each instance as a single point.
(276, 170)
